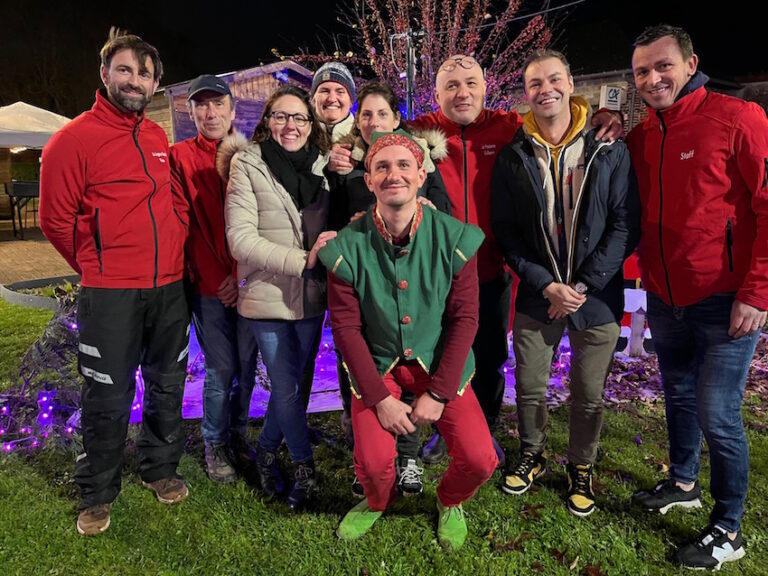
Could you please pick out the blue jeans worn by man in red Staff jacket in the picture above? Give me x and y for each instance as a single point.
(704, 372)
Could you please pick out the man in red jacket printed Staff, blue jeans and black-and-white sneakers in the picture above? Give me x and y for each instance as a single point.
(702, 165)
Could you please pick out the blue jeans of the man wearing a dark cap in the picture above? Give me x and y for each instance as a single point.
(230, 368)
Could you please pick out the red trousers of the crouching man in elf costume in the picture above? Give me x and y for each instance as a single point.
(462, 424)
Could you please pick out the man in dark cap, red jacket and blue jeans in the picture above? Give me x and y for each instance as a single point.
(226, 341)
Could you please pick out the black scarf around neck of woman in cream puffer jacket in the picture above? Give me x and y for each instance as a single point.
(294, 170)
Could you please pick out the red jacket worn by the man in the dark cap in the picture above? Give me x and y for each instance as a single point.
(194, 176)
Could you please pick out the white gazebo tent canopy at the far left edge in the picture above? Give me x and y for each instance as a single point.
(26, 126)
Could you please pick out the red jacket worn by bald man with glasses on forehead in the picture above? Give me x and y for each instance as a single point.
(466, 172)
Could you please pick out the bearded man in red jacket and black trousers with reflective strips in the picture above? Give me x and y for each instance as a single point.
(106, 205)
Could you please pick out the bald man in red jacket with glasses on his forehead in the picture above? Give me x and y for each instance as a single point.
(476, 135)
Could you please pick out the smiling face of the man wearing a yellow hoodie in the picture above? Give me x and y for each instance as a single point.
(548, 88)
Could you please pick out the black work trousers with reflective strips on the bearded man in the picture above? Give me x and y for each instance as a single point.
(120, 331)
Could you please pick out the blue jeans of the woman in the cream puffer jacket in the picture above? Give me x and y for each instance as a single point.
(285, 346)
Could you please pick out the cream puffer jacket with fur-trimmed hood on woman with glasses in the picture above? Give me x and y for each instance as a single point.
(269, 237)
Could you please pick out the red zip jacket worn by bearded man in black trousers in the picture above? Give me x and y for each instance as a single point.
(106, 203)
